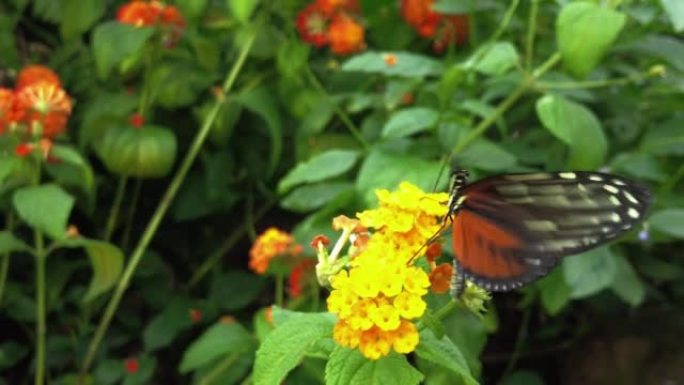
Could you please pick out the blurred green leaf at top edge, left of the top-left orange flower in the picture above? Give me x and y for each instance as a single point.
(78, 16)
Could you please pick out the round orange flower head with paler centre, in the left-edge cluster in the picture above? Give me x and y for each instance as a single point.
(44, 107)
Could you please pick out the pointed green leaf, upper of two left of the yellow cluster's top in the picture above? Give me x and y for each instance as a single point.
(310, 197)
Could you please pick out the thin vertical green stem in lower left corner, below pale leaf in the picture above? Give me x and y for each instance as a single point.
(41, 313)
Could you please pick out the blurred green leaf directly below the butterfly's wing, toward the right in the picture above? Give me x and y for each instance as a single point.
(590, 272)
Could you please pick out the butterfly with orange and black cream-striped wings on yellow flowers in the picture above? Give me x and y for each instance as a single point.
(510, 230)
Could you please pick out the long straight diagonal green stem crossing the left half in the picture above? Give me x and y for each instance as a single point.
(163, 206)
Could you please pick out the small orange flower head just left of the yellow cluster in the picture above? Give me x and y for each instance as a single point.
(270, 244)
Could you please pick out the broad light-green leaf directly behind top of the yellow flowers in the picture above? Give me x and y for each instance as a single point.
(384, 170)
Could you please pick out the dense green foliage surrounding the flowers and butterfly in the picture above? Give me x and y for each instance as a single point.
(299, 136)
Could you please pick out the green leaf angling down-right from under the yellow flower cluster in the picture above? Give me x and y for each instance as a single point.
(444, 353)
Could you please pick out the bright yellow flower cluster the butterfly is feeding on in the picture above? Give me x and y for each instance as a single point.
(380, 295)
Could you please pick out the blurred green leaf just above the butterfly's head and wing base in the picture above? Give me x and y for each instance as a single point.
(486, 155)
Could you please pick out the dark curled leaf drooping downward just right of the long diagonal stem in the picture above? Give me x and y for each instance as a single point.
(261, 102)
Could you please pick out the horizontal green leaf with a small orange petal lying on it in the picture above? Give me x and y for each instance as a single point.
(405, 64)
